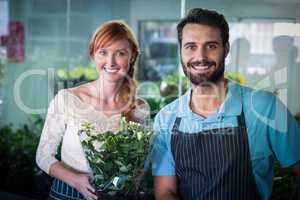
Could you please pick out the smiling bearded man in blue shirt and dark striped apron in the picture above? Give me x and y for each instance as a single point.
(220, 139)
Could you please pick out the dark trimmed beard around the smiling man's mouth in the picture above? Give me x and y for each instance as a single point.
(203, 78)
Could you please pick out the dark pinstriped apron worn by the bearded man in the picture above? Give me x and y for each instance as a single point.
(214, 164)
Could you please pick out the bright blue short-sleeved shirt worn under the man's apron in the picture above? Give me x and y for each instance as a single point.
(272, 131)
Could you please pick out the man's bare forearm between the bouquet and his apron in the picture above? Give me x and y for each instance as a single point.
(165, 188)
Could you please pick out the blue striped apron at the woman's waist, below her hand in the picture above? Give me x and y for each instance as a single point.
(62, 191)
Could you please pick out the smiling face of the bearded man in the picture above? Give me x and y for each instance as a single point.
(202, 53)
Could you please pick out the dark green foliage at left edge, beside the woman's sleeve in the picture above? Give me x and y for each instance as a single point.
(17, 155)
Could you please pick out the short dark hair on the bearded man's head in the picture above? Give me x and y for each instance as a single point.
(206, 17)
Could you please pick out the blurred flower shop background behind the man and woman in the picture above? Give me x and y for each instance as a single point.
(43, 48)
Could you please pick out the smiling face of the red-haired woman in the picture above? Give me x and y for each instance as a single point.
(113, 61)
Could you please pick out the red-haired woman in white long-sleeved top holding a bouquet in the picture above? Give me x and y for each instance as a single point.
(102, 102)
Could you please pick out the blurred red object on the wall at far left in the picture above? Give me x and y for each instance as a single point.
(14, 42)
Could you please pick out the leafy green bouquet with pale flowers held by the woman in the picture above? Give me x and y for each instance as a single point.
(119, 161)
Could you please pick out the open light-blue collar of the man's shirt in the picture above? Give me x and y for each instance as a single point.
(232, 106)
